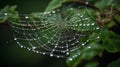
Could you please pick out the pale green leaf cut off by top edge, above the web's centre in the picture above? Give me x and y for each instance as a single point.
(54, 4)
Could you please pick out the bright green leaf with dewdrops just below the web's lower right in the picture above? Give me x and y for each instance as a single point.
(85, 53)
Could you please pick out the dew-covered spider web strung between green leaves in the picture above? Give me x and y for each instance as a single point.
(55, 33)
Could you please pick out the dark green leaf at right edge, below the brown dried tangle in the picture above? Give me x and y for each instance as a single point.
(111, 41)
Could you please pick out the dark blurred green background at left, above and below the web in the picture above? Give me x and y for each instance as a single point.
(11, 55)
